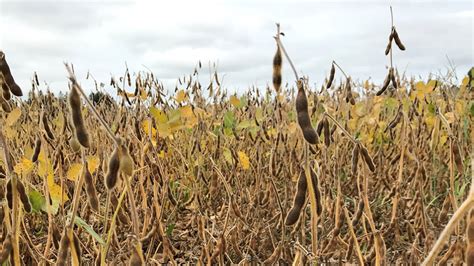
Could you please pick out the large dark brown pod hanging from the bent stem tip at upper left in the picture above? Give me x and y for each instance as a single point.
(78, 122)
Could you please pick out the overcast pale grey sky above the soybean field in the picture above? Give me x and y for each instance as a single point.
(169, 37)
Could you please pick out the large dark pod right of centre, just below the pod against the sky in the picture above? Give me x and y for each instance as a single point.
(303, 116)
